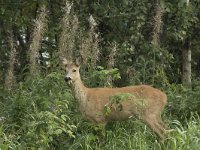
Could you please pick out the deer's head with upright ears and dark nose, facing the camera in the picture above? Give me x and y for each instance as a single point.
(72, 70)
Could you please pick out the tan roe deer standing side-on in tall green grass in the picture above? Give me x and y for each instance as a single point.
(143, 101)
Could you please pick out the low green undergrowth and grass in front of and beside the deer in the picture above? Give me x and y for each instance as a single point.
(41, 113)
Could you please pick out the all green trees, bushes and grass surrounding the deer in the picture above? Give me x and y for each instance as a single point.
(122, 43)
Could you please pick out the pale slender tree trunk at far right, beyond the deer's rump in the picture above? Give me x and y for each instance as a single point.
(186, 64)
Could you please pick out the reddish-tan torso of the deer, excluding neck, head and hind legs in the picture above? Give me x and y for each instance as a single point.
(138, 98)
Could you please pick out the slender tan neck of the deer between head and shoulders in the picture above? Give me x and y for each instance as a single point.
(80, 91)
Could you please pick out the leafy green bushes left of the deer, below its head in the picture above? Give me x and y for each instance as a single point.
(37, 114)
